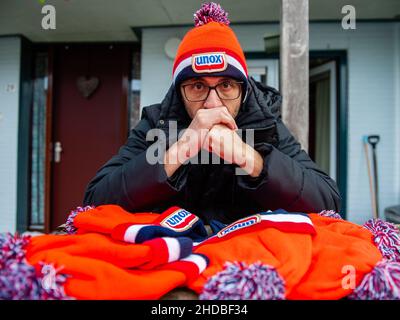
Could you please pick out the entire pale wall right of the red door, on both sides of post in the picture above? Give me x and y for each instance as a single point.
(373, 95)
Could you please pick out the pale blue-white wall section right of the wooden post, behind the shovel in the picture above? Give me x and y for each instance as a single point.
(372, 109)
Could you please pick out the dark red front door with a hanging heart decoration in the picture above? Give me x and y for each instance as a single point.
(90, 120)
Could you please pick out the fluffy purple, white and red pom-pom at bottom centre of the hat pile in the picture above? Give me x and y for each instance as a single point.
(241, 282)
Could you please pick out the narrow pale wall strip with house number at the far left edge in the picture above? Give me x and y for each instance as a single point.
(9, 103)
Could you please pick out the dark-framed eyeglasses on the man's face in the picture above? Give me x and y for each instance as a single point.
(226, 90)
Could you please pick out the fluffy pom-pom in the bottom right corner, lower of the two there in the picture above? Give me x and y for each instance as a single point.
(382, 283)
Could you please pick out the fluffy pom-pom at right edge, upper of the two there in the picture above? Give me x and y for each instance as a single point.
(386, 238)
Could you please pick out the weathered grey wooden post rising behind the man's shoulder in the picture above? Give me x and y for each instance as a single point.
(294, 68)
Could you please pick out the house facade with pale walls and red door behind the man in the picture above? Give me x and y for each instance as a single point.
(66, 107)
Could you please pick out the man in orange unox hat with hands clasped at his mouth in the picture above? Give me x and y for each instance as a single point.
(211, 98)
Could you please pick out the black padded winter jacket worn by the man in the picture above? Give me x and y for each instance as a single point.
(289, 179)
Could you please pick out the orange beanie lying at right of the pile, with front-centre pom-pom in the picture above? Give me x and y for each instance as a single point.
(293, 256)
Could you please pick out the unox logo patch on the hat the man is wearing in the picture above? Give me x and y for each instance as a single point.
(209, 62)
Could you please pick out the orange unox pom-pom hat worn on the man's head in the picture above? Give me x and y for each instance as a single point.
(210, 48)
